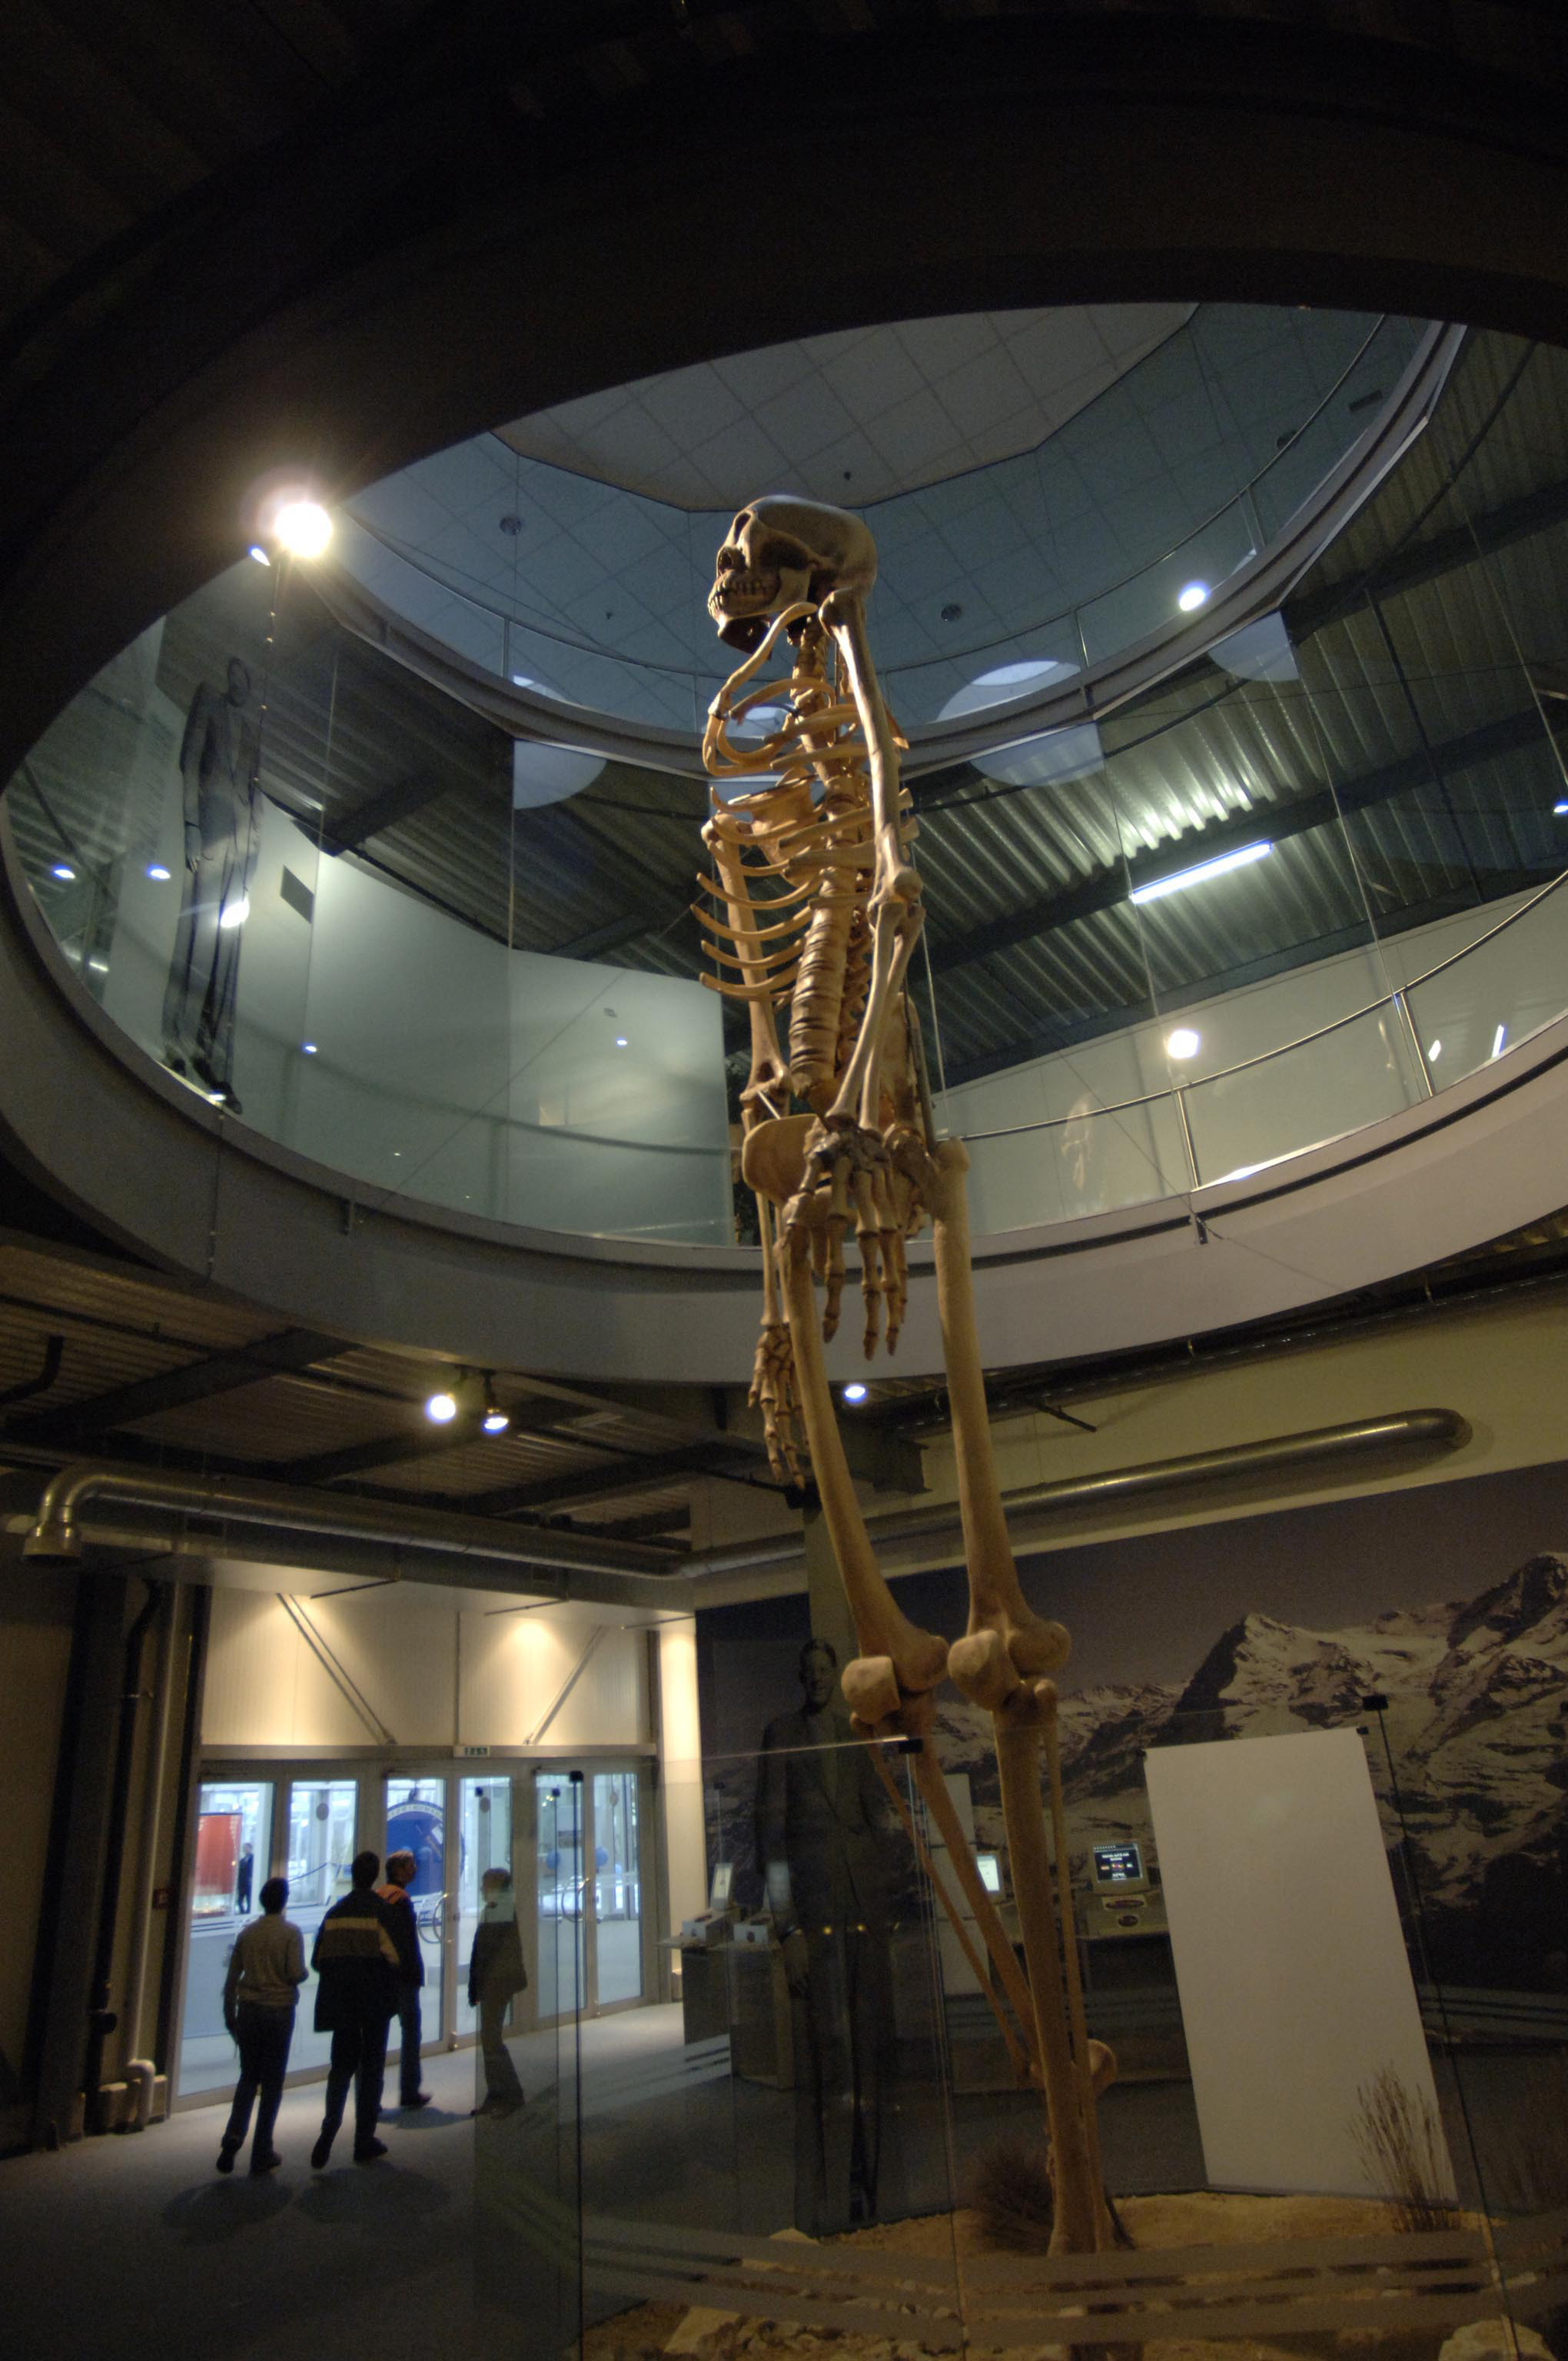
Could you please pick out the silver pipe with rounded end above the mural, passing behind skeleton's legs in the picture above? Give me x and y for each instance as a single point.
(1397, 1430)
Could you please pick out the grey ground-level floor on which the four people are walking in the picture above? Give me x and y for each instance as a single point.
(464, 2239)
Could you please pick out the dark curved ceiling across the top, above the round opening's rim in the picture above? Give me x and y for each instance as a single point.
(348, 235)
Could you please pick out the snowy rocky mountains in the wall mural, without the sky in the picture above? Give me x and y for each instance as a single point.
(1470, 1758)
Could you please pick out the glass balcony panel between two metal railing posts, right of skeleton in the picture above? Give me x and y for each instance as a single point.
(1302, 1097)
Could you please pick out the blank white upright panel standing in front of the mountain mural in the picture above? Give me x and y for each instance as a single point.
(1293, 1973)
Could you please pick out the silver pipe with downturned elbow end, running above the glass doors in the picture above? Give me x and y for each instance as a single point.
(294, 1510)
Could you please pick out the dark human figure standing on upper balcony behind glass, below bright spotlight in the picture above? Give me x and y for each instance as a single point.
(218, 769)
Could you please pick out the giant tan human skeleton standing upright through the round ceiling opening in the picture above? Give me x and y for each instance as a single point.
(816, 905)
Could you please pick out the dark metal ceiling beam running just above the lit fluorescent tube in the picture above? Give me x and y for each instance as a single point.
(1274, 820)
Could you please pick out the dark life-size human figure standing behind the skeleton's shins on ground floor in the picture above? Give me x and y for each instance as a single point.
(818, 1840)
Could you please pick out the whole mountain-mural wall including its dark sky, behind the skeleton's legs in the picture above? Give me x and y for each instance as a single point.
(1451, 1602)
